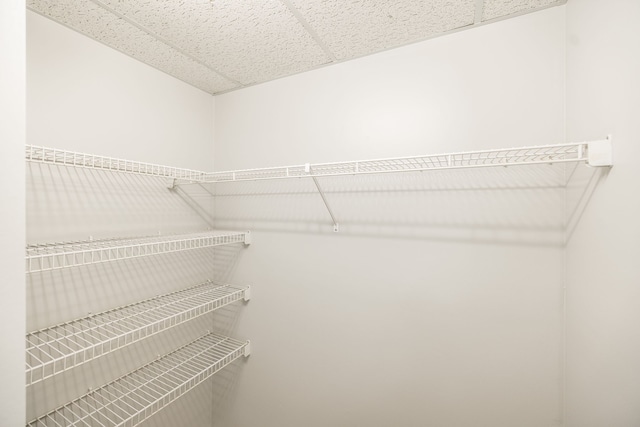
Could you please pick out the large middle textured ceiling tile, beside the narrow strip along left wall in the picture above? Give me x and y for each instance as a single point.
(247, 41)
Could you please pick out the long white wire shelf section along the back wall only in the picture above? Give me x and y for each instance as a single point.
(589, 152)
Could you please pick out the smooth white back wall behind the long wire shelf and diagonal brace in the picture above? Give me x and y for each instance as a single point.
(439, 301)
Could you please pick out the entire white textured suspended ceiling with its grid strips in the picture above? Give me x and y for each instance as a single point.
(223, 45)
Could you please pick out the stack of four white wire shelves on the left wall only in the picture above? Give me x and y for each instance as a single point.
(133, 398)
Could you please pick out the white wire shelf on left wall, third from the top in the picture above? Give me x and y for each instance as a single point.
(59, 348)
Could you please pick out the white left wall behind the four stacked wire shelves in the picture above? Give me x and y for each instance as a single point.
(87, 97)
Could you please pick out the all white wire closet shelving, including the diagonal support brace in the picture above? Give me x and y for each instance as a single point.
(133, 398)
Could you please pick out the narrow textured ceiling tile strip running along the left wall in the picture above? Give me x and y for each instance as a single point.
(96, 22)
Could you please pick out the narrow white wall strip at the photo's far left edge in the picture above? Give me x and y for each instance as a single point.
(12, 137)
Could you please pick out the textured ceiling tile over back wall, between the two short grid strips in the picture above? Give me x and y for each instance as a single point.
(352, 28)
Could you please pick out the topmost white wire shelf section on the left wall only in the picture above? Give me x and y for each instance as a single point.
(91, 161)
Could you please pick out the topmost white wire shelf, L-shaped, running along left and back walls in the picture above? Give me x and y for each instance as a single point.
(594, 153)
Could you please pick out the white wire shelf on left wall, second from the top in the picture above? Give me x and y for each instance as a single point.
(51, 256)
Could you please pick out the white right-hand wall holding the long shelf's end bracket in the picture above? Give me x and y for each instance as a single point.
(603, 273)
